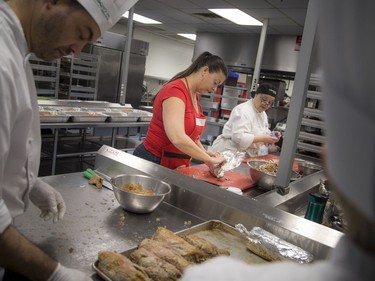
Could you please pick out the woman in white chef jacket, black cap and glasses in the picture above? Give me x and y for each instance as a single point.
(247, 128)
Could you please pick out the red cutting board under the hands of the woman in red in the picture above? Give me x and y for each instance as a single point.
(230, 178)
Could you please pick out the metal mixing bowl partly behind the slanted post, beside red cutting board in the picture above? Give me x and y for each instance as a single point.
(264, 180)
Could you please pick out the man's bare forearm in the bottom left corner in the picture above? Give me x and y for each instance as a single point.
(23, 257)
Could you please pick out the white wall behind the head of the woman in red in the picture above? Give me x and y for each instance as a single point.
(166, 57)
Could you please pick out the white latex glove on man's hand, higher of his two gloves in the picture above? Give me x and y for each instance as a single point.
(48, 200)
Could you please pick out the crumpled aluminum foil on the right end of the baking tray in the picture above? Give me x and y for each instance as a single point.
(271, 247)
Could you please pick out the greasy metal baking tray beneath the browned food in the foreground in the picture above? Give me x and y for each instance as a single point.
(217, 232)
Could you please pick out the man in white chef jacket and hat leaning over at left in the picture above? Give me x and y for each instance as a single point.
(50, 29)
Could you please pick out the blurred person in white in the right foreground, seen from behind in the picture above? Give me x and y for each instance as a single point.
(346, 35)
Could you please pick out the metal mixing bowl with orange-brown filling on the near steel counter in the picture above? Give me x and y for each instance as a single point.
(139, 203)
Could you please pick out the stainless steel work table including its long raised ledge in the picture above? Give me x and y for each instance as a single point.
(94, 221)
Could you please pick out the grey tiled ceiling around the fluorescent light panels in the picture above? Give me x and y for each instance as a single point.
(180, 16)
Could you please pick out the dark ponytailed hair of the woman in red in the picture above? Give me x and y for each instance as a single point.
(215, 64)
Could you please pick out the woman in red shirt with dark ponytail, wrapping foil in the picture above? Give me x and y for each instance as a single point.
(173, 137)
